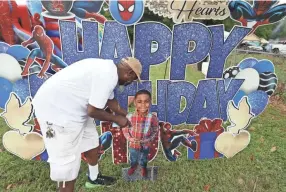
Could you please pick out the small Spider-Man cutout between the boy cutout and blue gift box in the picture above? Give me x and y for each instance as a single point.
(171, 139)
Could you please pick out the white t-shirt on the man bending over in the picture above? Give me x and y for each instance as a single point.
(64, 97)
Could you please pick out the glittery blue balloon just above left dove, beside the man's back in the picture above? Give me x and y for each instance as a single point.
(21, 88)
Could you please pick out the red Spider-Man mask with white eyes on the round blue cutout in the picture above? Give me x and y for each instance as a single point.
(126, 9)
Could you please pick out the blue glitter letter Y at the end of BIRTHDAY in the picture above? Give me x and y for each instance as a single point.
(226, 95)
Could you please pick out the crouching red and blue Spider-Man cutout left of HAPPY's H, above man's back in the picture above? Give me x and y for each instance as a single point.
(45, 52)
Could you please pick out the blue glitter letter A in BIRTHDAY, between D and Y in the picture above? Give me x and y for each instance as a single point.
(206, 94)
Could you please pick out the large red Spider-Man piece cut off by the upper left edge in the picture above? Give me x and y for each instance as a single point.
(7, 16)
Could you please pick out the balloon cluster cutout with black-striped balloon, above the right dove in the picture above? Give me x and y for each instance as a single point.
(259, 84)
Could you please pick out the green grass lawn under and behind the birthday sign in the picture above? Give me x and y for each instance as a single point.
(260, 167)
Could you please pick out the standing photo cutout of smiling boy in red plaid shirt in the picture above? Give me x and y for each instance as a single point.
(140, 135)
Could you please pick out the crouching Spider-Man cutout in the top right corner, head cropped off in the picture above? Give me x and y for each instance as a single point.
(262, 12)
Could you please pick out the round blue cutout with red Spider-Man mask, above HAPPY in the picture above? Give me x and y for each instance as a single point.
(126, 12)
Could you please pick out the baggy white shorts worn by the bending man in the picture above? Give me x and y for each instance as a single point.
(65, 148)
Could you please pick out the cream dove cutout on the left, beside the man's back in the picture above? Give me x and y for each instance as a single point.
(17, 114)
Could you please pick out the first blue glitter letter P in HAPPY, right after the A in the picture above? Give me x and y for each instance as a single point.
(145, 33)
